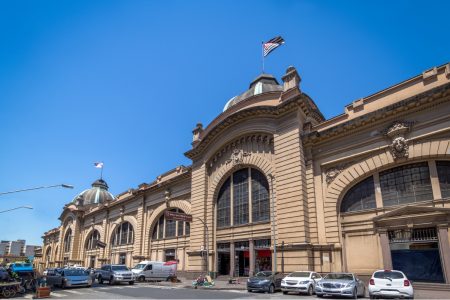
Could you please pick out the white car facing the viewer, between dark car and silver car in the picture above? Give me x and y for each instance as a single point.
(300, 282)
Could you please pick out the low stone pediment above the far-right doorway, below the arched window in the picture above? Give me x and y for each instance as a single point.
(413, 211)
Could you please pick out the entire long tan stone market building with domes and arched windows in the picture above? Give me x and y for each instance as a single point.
(365, 190)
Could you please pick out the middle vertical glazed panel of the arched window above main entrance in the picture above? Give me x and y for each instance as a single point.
(240, 197)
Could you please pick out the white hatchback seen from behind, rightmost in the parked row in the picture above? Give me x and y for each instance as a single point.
(390, 284)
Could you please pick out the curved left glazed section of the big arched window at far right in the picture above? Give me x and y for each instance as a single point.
(359, 197)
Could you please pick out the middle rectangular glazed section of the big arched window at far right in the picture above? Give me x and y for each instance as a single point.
(406, 184)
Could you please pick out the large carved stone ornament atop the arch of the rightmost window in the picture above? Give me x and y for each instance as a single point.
(396, 132)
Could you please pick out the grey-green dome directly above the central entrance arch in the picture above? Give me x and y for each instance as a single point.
(262, 84)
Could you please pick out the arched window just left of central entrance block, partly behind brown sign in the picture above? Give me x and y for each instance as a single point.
(169, 228)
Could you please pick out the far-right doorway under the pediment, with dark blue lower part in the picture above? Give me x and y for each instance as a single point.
(415, 252)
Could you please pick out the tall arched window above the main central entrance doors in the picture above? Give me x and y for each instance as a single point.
(244, 187)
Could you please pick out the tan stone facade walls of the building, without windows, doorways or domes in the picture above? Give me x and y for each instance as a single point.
(310, 165)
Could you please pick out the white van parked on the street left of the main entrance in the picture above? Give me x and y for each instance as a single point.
(154, 270)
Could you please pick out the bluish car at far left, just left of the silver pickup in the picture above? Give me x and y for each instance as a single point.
(68, 278)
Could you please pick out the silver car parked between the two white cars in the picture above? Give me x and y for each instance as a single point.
(341, 284)
